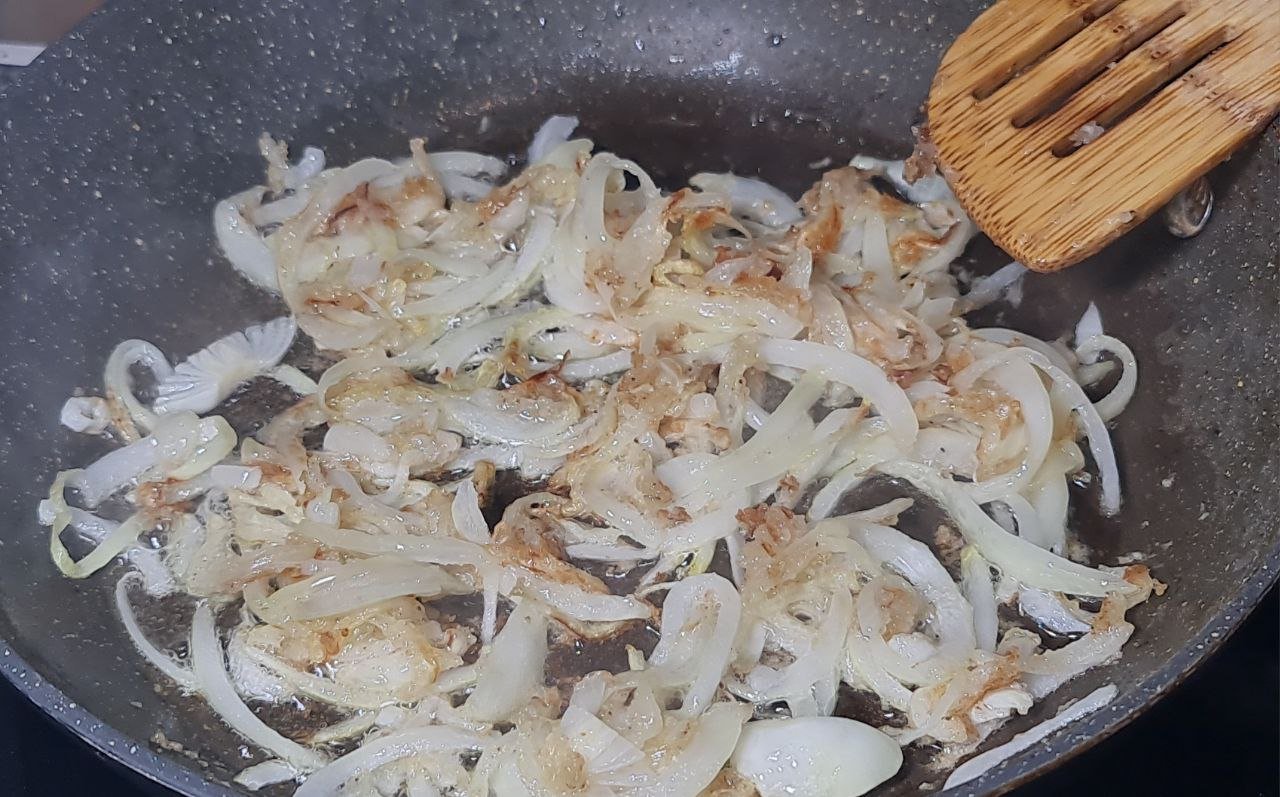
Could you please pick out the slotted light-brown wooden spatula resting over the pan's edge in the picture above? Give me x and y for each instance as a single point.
(1064, 123)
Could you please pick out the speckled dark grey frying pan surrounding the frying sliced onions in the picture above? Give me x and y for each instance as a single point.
(121, 139)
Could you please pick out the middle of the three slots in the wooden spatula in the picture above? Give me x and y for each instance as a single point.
(1118, 34)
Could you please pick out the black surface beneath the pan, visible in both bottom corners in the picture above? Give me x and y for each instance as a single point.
(1219, 734)
